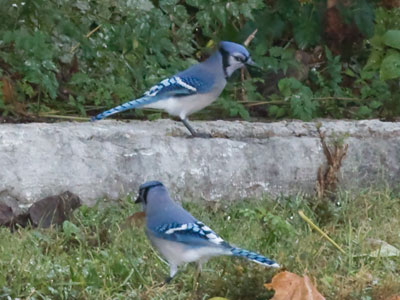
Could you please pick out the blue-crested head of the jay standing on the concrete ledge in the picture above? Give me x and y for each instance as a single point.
(234, 56)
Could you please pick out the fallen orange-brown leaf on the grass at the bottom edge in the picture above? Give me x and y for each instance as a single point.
(289, 286)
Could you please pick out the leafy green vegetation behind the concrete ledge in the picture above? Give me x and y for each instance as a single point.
(334, 58)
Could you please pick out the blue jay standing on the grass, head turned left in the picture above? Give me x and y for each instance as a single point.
(179, 237)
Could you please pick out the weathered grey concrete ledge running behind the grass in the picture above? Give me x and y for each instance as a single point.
(110, 159)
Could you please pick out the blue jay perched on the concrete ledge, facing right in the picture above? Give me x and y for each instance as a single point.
(193, 89)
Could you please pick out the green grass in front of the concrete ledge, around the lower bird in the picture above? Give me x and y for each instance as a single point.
(92, 258)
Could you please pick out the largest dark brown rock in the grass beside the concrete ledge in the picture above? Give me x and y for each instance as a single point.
(53, 210)
